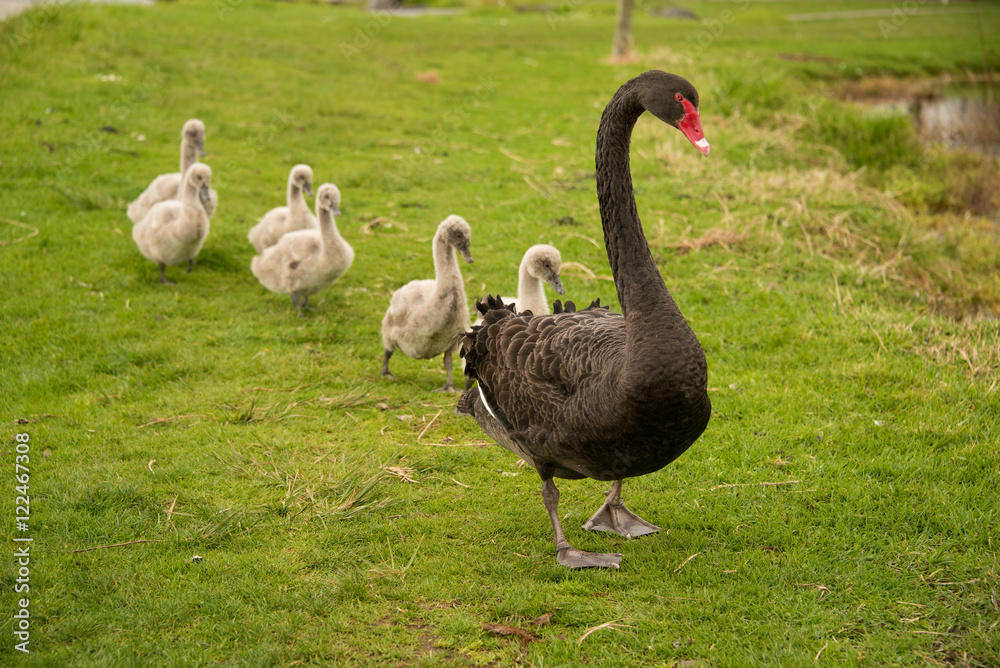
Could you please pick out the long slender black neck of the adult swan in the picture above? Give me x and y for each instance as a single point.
(638, 281)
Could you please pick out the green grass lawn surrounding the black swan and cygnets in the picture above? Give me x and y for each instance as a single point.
(847, 307)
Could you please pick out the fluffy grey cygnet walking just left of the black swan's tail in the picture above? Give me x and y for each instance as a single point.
(426, 317)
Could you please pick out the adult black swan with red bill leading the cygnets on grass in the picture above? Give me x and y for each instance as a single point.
(591, 393)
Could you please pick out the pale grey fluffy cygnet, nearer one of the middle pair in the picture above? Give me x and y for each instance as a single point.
(304, 262)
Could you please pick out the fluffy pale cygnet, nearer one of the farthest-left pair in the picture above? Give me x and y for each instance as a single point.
(173, 231)
